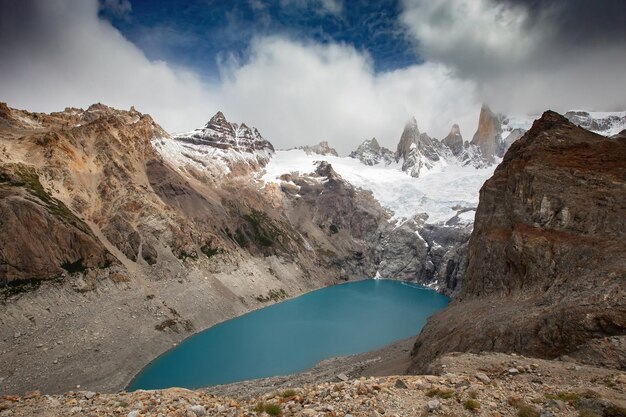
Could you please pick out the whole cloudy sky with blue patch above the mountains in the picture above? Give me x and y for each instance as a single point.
(303, 71)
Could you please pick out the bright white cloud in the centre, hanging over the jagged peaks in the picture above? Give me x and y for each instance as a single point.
(298, 93)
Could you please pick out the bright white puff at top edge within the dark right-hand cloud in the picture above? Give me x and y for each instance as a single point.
(473, 35)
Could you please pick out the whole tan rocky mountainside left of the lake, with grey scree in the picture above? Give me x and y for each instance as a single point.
(105, 230)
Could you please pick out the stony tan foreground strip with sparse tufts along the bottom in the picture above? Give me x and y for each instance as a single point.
(484, 385)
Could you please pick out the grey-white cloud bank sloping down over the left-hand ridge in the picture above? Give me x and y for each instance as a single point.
(56, 53)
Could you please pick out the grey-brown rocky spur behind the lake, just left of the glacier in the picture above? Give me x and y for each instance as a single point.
(341, 224)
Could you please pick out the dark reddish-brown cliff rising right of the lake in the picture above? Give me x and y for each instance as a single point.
(546, 274)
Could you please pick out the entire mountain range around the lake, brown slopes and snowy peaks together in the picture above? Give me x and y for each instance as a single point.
(141, 238)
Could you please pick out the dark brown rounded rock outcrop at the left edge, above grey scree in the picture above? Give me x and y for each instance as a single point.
(40, 237)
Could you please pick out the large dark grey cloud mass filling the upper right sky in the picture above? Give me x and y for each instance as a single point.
(526, 55)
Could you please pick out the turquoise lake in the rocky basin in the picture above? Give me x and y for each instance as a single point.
(294, 335)
